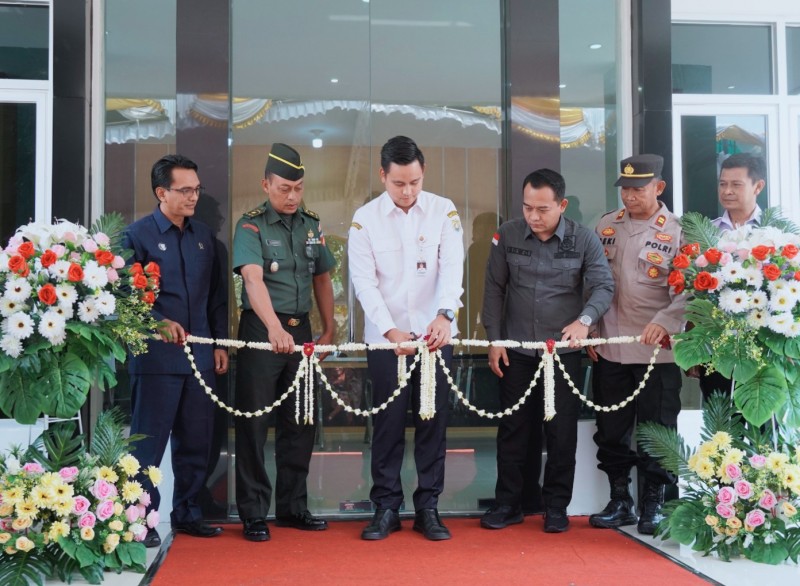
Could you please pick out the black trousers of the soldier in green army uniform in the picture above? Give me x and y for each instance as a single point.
(262, 377)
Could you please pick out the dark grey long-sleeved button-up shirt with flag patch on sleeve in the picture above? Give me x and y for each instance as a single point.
(533, 288)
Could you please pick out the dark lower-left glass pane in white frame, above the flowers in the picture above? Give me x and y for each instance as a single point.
(17, 167)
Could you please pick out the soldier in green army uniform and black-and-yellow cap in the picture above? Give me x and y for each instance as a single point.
(280, 252)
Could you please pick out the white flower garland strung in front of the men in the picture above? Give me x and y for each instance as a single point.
(427, 361)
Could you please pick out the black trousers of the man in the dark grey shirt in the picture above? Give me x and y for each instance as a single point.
(519, 435)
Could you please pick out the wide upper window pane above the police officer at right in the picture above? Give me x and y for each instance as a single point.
(721, 59)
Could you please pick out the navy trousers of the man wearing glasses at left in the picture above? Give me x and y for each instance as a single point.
(174, 408)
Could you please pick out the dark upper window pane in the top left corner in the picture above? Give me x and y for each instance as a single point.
(24, 42)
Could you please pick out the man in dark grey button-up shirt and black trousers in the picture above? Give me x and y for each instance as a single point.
(547, 278)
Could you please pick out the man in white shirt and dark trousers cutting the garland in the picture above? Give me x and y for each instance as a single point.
(406, 255)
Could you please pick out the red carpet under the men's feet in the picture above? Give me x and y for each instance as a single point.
(520, 554)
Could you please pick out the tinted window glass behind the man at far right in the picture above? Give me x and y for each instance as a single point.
(707, 141)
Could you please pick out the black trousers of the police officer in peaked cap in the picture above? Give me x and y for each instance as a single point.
(659, 401)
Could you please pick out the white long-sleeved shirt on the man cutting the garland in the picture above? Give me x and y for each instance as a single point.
(406, 266)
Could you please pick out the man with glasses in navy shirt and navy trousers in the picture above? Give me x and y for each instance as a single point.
(166, 398)
